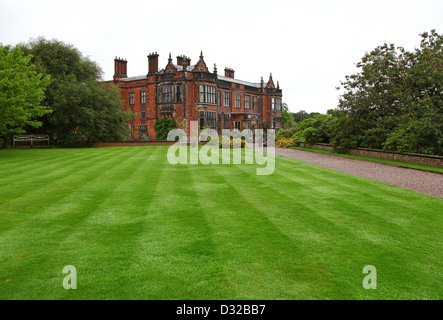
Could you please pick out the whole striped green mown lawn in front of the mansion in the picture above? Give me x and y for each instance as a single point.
(136, 227)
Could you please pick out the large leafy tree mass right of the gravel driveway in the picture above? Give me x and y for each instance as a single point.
(394, 102)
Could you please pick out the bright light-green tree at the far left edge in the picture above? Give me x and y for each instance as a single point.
(21, 92)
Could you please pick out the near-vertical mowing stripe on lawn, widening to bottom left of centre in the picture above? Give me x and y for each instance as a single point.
(177, 257)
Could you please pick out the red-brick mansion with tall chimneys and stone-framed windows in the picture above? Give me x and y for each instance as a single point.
(186, 92)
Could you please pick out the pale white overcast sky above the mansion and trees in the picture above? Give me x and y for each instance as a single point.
(309, 46)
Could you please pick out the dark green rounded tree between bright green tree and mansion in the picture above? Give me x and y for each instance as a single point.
(84, 109)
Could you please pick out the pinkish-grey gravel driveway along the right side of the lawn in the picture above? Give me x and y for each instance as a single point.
(426, 182)
